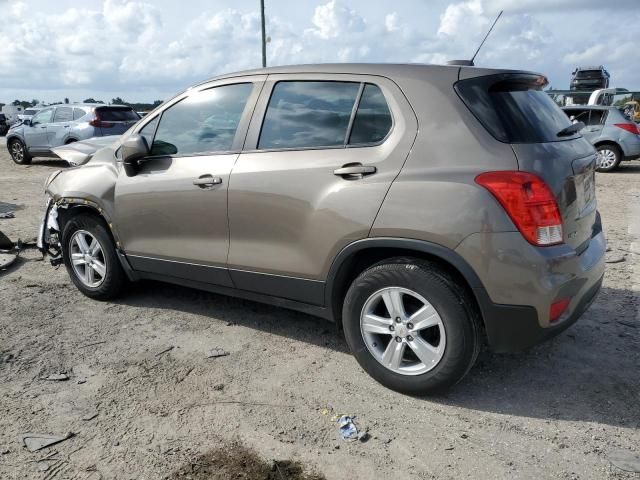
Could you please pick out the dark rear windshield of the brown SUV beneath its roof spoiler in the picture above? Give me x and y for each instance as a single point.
(513, 108)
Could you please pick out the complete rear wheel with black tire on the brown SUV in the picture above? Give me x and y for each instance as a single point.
(455, 337)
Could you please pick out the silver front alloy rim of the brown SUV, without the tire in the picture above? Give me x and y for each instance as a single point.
(87, 259)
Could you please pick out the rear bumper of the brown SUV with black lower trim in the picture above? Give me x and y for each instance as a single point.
(520, 282)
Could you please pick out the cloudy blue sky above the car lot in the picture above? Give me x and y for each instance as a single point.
(146, 50)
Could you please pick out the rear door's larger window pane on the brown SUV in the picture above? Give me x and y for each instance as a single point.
(308, 114)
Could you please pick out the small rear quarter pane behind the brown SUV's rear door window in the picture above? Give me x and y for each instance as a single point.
(373, 118)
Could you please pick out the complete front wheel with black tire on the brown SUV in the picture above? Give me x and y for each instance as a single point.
(105, 278)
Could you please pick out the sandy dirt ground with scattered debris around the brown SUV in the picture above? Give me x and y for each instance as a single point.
(144, 401)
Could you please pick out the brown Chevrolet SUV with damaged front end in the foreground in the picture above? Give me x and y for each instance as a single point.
(422, 208)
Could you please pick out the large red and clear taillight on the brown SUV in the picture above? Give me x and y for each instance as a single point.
(529, 203)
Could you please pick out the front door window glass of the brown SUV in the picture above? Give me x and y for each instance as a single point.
(203, 122)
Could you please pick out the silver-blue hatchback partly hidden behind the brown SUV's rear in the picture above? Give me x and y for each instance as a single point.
(615, 137)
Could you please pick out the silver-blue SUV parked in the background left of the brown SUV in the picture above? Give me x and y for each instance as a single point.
(64, 124)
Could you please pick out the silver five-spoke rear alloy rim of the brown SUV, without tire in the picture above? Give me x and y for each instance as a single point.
(403, 331)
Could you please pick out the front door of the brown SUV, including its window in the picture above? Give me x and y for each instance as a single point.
(171, 212)
